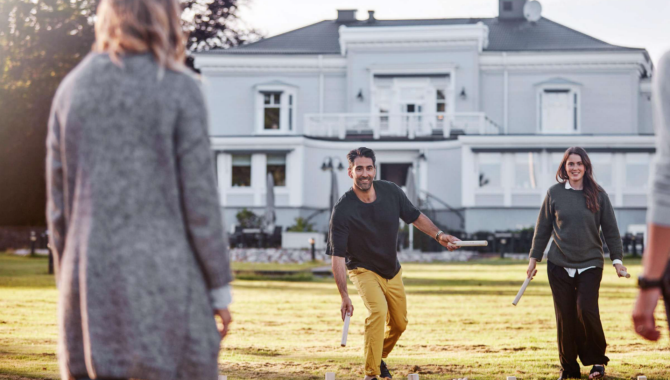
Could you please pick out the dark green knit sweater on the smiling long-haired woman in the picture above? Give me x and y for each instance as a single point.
(575, 229)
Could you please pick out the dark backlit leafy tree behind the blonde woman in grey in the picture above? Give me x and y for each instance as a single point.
(40, 42)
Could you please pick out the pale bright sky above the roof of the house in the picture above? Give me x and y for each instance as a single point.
(635, 23)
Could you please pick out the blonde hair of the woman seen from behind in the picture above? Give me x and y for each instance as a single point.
(135, 26)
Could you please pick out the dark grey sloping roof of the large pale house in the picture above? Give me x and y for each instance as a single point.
(504, 35)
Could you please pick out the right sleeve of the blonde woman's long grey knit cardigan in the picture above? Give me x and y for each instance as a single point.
(199, 194)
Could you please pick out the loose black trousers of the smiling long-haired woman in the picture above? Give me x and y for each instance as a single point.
(580, 332)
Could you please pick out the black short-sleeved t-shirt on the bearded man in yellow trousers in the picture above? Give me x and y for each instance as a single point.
(366, 233)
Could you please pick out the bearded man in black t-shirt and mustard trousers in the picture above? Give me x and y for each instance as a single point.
(363, 236)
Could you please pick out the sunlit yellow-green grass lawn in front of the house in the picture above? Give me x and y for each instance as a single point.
(461, 324)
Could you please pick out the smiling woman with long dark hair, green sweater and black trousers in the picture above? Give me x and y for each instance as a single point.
(573, 213)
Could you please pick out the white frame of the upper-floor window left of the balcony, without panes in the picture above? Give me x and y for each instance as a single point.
(286, 91)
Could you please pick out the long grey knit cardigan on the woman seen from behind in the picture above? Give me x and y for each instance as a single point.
(135, 223)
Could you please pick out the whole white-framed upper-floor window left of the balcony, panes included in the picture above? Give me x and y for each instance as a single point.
(275, 108)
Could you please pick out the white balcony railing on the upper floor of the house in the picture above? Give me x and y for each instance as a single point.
(409, 125)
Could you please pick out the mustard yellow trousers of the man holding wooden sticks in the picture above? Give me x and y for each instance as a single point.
(387, 314)
